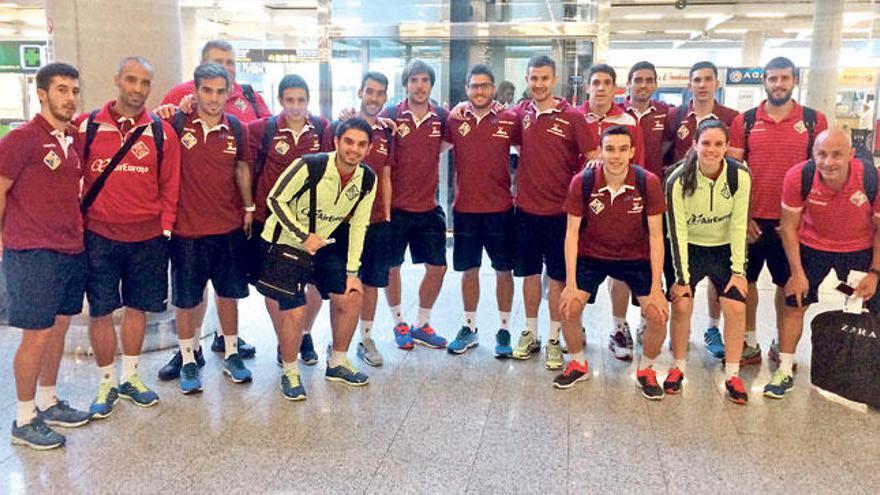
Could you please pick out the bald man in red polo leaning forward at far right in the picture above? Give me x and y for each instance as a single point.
(832, 195)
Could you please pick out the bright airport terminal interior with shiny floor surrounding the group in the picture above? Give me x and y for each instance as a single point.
(431, 421)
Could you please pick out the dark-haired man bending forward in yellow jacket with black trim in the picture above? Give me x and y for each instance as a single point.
(344, 192)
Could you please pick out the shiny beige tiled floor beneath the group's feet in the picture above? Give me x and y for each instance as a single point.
(434, 423)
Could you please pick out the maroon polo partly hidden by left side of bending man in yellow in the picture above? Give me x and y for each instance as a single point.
(283, 150)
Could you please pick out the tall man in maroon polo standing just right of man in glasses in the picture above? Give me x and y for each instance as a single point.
(555, 142)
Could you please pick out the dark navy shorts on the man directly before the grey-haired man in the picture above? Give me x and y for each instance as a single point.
(218, 258)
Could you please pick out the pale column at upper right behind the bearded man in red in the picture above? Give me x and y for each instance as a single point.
(824, 54)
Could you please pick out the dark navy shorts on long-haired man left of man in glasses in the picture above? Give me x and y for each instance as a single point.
(424, 233)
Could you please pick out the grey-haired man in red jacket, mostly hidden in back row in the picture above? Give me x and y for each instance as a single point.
(243, 102)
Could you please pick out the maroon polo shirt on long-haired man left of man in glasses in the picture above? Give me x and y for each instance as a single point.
(416, 159)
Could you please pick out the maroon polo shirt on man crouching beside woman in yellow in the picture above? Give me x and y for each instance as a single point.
(615, 228)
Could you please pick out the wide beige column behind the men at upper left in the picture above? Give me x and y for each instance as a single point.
(94, 35)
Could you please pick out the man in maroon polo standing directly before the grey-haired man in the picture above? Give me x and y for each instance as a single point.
(214, 215)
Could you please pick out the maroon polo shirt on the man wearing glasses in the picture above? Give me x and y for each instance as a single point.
(482, 161)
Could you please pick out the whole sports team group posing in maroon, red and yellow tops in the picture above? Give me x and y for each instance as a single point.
(651, 197)
